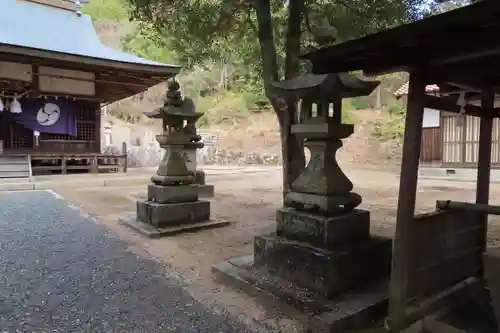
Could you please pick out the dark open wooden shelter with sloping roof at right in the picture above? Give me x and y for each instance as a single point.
(437, 257)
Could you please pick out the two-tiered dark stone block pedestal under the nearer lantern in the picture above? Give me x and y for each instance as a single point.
(336, 254)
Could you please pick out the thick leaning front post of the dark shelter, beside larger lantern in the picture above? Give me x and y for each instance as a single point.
(402, 247)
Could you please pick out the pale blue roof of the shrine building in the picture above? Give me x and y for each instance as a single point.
(36, 26)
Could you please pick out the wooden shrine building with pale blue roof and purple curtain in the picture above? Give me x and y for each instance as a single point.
(50, 52)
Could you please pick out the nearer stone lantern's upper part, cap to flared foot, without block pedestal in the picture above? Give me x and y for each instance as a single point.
(323, 186)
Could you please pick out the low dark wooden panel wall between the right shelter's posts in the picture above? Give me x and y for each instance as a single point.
(445, 252)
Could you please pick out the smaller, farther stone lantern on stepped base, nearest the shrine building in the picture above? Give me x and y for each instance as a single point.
(172, 205)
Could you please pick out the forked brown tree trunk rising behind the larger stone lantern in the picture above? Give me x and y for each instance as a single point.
(292, 149)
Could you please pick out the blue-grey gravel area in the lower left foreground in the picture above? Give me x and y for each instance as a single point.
(62, 272)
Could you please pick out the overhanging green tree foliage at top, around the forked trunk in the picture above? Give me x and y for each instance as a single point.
(228, 29)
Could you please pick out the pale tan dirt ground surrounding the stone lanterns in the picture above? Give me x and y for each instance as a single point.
(250, 202)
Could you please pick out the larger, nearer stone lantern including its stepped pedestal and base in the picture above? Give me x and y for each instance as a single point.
(319, 226)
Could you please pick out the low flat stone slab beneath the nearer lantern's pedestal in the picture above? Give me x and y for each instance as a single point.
(356, 310)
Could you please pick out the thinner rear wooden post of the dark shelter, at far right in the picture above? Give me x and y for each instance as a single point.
(484, 155)
